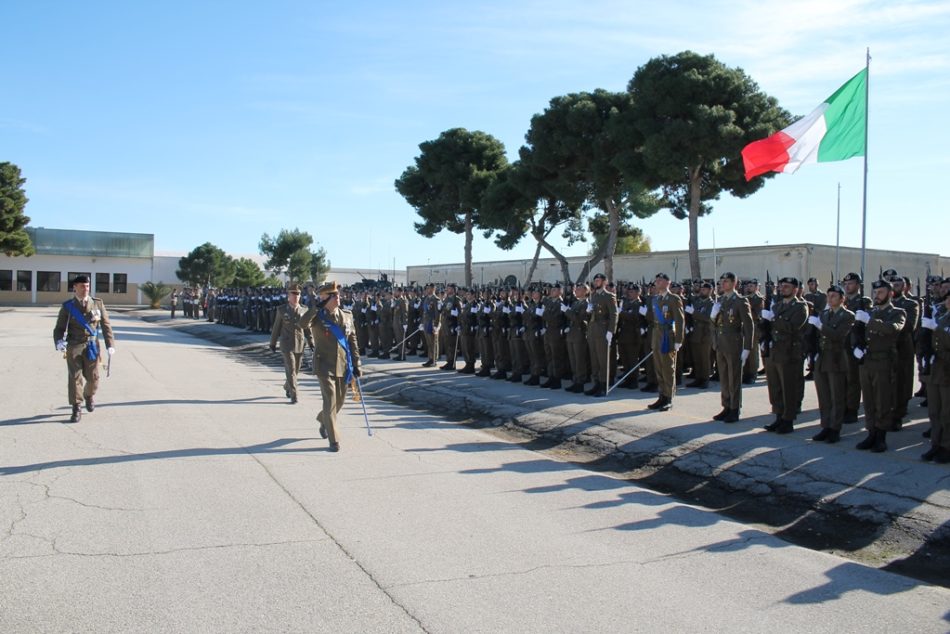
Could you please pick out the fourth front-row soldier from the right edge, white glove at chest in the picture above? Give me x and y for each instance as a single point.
(784, 371)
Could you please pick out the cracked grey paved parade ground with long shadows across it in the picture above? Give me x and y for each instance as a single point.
(197, 498)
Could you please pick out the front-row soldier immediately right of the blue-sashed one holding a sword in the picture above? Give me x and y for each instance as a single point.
(735, 337)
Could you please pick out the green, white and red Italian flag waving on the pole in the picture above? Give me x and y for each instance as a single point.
(834, 131)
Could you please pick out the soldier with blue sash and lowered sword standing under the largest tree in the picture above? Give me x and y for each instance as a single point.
(668, 323)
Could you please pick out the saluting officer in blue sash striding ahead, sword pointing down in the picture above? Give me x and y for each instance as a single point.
(335, 357)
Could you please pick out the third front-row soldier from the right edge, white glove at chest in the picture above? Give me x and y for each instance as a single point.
(831, 367)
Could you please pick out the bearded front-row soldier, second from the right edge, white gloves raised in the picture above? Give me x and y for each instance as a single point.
(878, 359)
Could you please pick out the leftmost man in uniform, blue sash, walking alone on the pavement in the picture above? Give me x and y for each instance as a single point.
(76, 332)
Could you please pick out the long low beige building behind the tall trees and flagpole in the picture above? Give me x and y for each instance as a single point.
(797, 260)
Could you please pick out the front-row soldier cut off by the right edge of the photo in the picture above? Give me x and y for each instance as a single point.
(938, 384)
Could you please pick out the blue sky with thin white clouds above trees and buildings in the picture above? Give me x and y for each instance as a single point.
(220, 121)
